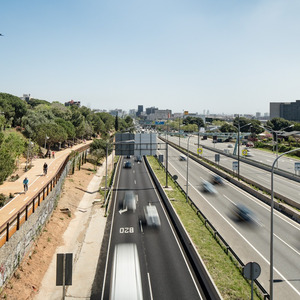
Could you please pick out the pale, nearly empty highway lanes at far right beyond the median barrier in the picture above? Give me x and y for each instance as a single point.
(283, 186)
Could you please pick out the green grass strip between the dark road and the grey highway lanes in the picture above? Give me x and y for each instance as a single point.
(223, 269)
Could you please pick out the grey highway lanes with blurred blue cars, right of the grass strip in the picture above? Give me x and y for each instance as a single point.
(250, 241)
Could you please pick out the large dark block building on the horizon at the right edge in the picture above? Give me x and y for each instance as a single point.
(287, 110)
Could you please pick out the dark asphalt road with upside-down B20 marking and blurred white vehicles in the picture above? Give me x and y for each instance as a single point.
(164, 269)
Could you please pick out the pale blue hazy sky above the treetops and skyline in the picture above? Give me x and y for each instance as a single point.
(223, 56)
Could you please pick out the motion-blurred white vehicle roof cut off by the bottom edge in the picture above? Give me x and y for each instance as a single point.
(125, 282)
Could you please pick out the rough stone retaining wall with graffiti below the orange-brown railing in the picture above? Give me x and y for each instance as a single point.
(20, 244)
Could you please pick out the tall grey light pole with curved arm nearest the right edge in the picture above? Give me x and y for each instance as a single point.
(271, 225)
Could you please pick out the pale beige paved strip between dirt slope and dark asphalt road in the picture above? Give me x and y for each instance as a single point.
(83, 238)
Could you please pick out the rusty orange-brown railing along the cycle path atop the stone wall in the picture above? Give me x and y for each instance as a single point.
(21, 216)
